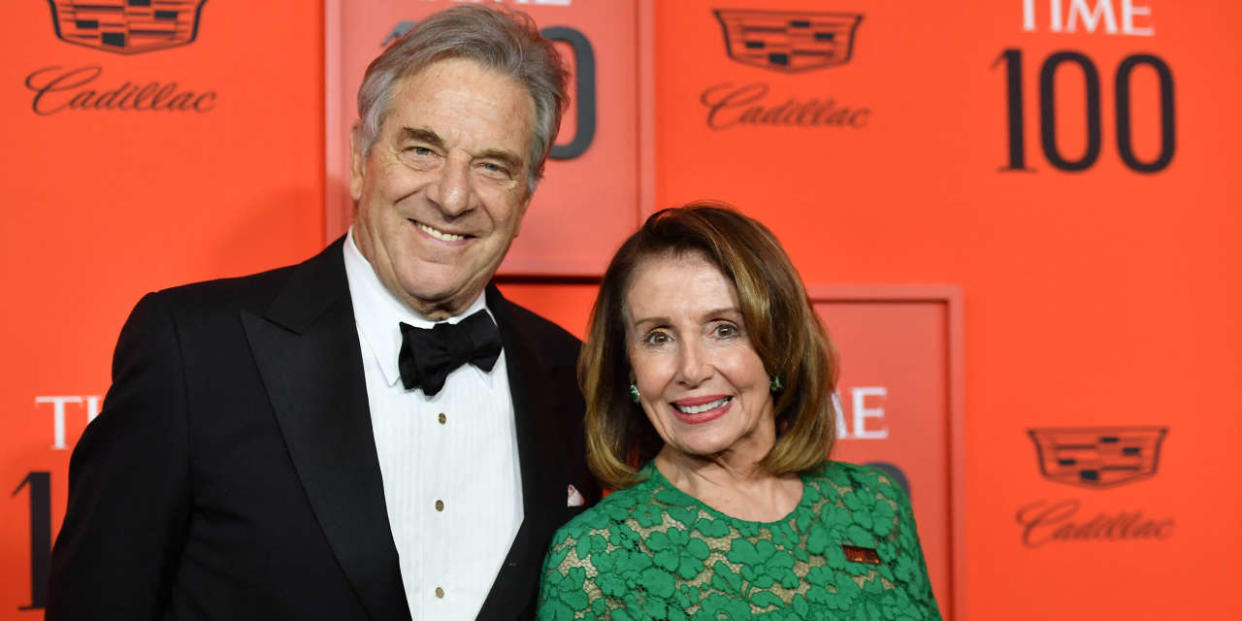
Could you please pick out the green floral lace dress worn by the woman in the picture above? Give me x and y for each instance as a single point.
(849, 551)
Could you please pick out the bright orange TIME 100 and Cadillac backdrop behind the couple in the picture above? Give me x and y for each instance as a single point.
(1019, 220)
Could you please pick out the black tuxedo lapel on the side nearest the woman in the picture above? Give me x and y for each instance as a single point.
(541, 492)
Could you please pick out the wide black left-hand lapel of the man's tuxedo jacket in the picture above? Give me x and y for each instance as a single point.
(306, 346)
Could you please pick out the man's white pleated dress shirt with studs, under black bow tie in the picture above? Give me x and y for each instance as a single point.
(453, 483)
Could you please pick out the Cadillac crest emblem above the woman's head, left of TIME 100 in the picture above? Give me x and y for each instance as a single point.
(789, 42)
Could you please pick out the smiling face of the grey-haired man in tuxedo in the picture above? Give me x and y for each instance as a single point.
(443, 192)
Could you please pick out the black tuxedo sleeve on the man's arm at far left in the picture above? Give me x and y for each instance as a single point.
(129, 505)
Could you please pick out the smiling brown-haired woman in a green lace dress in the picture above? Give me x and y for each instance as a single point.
(707, 366)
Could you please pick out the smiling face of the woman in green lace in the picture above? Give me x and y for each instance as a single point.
(700, 381)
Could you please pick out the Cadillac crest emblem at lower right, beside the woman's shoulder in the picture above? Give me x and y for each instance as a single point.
(1099, 458)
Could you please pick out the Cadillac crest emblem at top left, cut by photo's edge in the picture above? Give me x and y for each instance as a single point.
(127, 27)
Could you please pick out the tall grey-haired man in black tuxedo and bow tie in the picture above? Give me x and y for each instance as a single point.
(376, 433)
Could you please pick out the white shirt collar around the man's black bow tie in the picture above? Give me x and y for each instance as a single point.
(379, 314)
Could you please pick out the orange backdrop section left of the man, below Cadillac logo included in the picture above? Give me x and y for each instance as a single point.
(146, 145)
